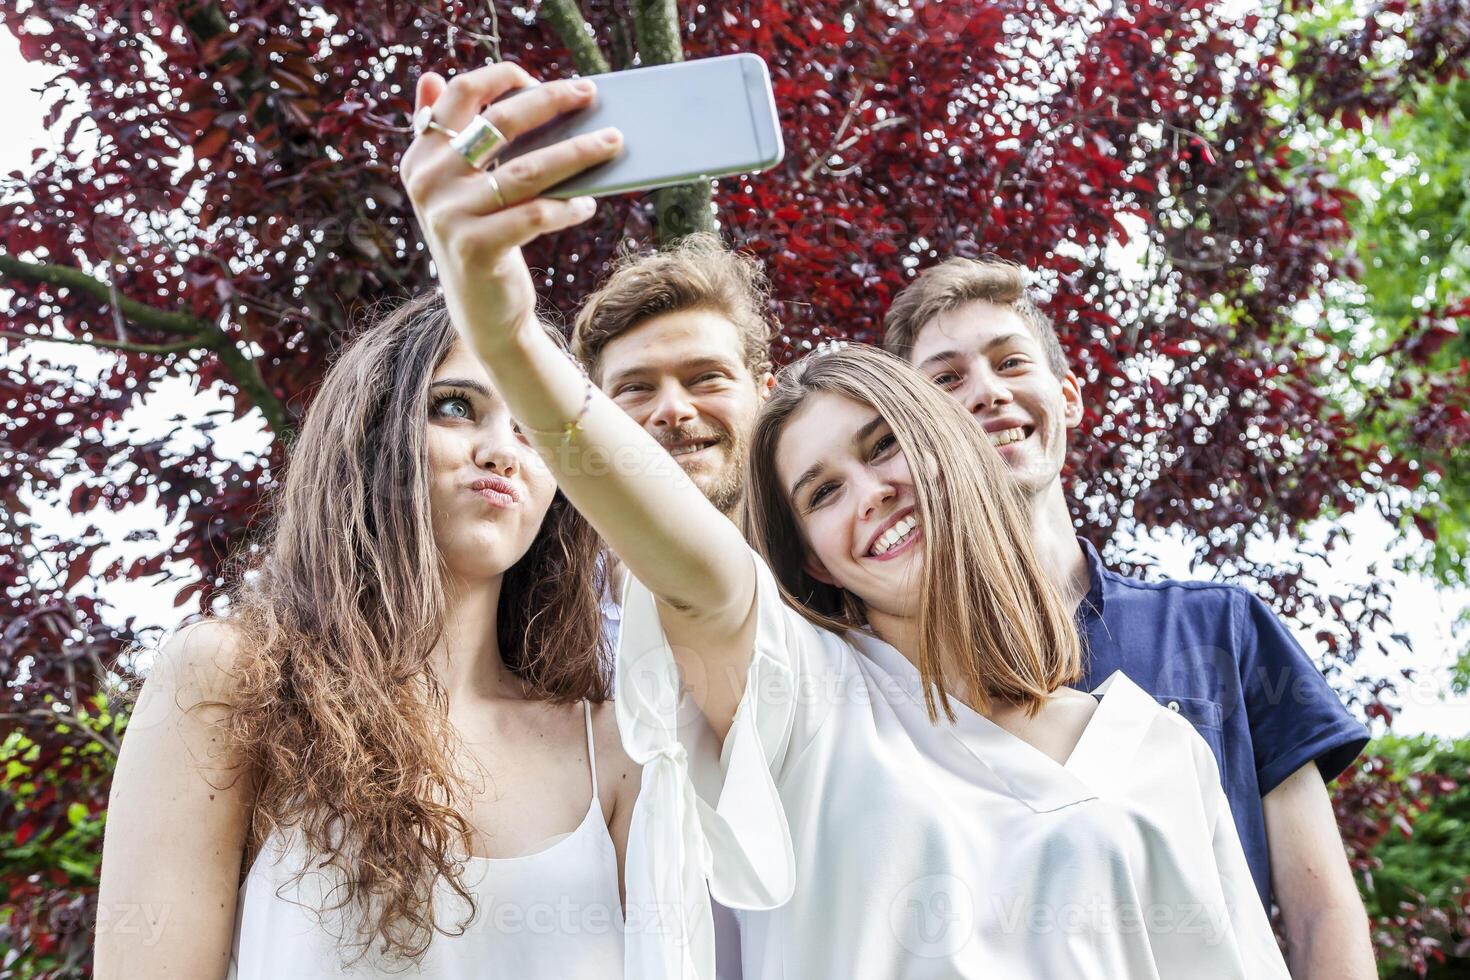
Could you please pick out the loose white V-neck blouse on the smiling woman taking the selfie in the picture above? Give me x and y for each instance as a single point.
(859, 840)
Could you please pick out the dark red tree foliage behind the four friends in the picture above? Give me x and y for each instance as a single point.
(1021, 129)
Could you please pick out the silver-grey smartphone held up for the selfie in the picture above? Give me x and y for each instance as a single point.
(689, 121)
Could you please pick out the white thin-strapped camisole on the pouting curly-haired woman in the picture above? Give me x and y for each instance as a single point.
(551, 915)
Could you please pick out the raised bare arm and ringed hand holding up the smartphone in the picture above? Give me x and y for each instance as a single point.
(673, 540)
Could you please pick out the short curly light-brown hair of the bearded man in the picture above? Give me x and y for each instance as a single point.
(698, 274)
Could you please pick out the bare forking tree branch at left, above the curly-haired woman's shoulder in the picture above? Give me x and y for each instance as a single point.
(196, 333)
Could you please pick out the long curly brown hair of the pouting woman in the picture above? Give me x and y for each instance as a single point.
(337, 712)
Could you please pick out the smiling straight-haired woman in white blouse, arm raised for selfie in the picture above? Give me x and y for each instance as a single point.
(908, 788)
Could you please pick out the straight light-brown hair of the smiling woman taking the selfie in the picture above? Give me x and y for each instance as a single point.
(992, 622)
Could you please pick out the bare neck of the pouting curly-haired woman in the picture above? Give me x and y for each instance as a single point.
(468, 655)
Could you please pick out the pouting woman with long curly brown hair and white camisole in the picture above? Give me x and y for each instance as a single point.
(396, 752)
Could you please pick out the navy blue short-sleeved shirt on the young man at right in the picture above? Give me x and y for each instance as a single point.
(1221, 657)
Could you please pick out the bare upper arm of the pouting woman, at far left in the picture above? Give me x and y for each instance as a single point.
(177, 824)
